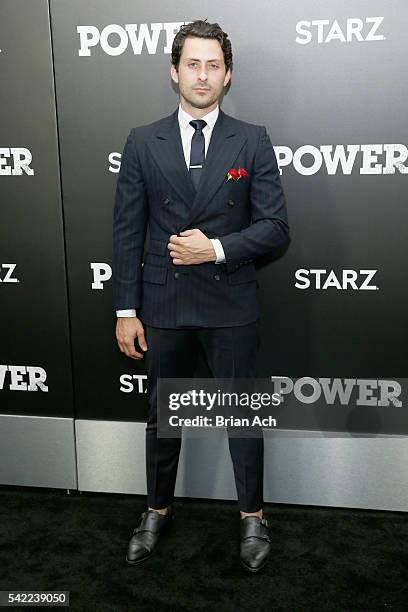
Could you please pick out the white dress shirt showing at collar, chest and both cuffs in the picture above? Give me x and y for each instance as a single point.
(186, 133)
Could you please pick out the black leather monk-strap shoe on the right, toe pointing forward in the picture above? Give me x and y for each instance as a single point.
(255, 543)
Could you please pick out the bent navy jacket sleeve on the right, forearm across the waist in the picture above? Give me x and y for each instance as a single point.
(269, 222)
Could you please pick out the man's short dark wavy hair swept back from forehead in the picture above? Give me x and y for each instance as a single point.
(201, 29)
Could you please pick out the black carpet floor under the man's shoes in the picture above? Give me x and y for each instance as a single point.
(322, 558)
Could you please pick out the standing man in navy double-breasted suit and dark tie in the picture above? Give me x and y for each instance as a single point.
(208, 187)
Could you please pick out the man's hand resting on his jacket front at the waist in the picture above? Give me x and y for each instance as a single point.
(191, 247)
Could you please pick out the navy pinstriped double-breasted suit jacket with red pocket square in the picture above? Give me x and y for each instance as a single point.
(155, 197)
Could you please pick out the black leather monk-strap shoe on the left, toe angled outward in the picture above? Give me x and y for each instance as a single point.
(145, 537)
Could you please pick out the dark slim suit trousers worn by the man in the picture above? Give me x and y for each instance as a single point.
(230, 352)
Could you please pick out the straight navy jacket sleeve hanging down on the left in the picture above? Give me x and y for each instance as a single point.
(129, 229)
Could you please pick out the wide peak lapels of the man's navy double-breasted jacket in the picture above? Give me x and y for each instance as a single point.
(167, 149)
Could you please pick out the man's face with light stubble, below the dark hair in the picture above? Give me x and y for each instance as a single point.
(201, 66)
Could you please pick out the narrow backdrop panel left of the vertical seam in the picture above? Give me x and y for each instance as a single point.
(35, 360)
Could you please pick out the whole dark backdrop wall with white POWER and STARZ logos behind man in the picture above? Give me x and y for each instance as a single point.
(328, 82)
